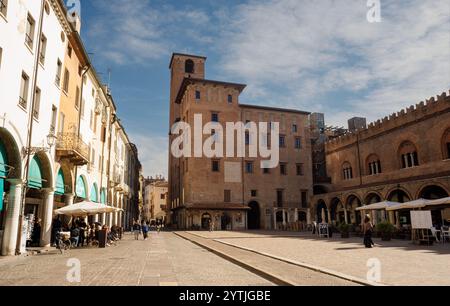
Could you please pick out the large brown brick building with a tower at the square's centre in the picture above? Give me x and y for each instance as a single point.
(199, 191)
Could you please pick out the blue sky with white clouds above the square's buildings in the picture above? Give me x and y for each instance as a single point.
(318, 56)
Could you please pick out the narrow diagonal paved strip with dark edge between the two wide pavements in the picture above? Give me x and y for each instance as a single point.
(278, 271)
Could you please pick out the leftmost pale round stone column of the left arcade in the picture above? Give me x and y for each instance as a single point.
(12, 218)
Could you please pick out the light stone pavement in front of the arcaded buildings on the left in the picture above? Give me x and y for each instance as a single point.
(164, 259)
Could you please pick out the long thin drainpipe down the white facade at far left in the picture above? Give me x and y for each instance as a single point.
(30, 129)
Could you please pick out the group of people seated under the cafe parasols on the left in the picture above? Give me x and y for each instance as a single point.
(84, 234)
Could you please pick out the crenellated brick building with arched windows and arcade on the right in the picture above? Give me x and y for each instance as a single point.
(405, 156)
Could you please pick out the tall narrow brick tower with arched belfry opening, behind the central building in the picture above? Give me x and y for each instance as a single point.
(181, 66)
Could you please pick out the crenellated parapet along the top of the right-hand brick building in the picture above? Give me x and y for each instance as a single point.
(411, 114)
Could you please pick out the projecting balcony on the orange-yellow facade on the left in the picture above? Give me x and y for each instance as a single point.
(70, 146)
